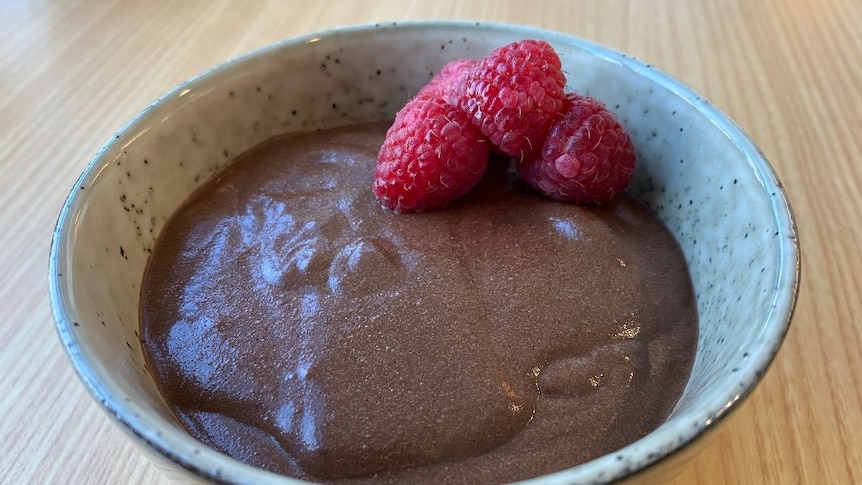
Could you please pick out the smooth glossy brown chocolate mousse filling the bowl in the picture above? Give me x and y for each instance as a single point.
(292, 323)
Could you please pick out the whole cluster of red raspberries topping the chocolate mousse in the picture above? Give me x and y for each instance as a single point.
(513, 101)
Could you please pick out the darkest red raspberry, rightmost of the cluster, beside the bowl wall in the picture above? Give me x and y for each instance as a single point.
(587, 156)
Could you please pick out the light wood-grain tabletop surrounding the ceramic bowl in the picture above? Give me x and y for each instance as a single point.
(71, 73)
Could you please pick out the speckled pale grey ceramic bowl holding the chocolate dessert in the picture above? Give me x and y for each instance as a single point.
(697, 171)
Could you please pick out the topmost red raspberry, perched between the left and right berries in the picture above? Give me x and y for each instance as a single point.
(513, 94)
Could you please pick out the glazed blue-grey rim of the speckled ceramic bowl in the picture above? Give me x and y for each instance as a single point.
(654, 448)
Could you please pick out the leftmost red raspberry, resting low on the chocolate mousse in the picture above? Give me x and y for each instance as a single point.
(431, 156)
